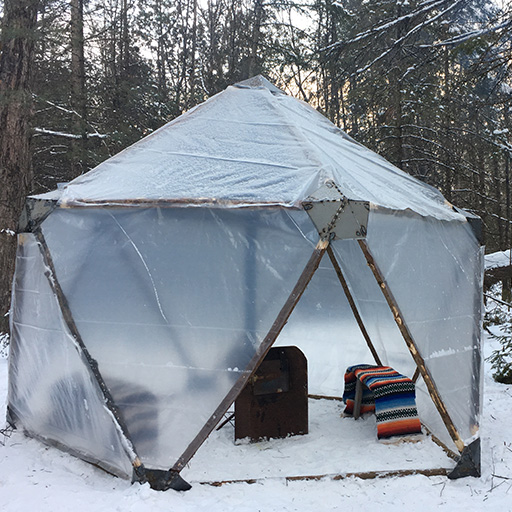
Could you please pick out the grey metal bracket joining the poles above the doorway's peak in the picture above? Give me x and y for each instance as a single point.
(336, 217)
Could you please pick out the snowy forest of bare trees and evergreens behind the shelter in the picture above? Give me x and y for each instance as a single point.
(425, 83)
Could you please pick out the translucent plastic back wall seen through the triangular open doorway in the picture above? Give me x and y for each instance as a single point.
(324, 328)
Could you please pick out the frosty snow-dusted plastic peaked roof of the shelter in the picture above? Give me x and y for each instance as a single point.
(252, 144)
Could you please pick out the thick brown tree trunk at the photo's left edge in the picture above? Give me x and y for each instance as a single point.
(17, 51)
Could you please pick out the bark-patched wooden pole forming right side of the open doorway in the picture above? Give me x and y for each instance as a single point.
(418, 359)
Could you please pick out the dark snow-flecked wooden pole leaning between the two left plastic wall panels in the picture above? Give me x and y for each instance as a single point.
(89, 361)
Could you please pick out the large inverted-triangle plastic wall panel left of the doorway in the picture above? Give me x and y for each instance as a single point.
(173, 304)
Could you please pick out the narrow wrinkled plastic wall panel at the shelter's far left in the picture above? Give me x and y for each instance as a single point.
(51, 392)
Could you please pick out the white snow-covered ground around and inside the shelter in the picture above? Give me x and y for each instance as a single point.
(36, 477)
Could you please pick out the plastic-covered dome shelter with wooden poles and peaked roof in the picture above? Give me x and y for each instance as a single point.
(148, 290)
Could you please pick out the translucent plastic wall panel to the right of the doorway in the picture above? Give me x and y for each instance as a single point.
(434, 271)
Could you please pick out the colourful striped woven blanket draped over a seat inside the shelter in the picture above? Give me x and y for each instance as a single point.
(391, 395)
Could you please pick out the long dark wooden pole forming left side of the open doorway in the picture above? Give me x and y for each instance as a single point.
(260, 354)
